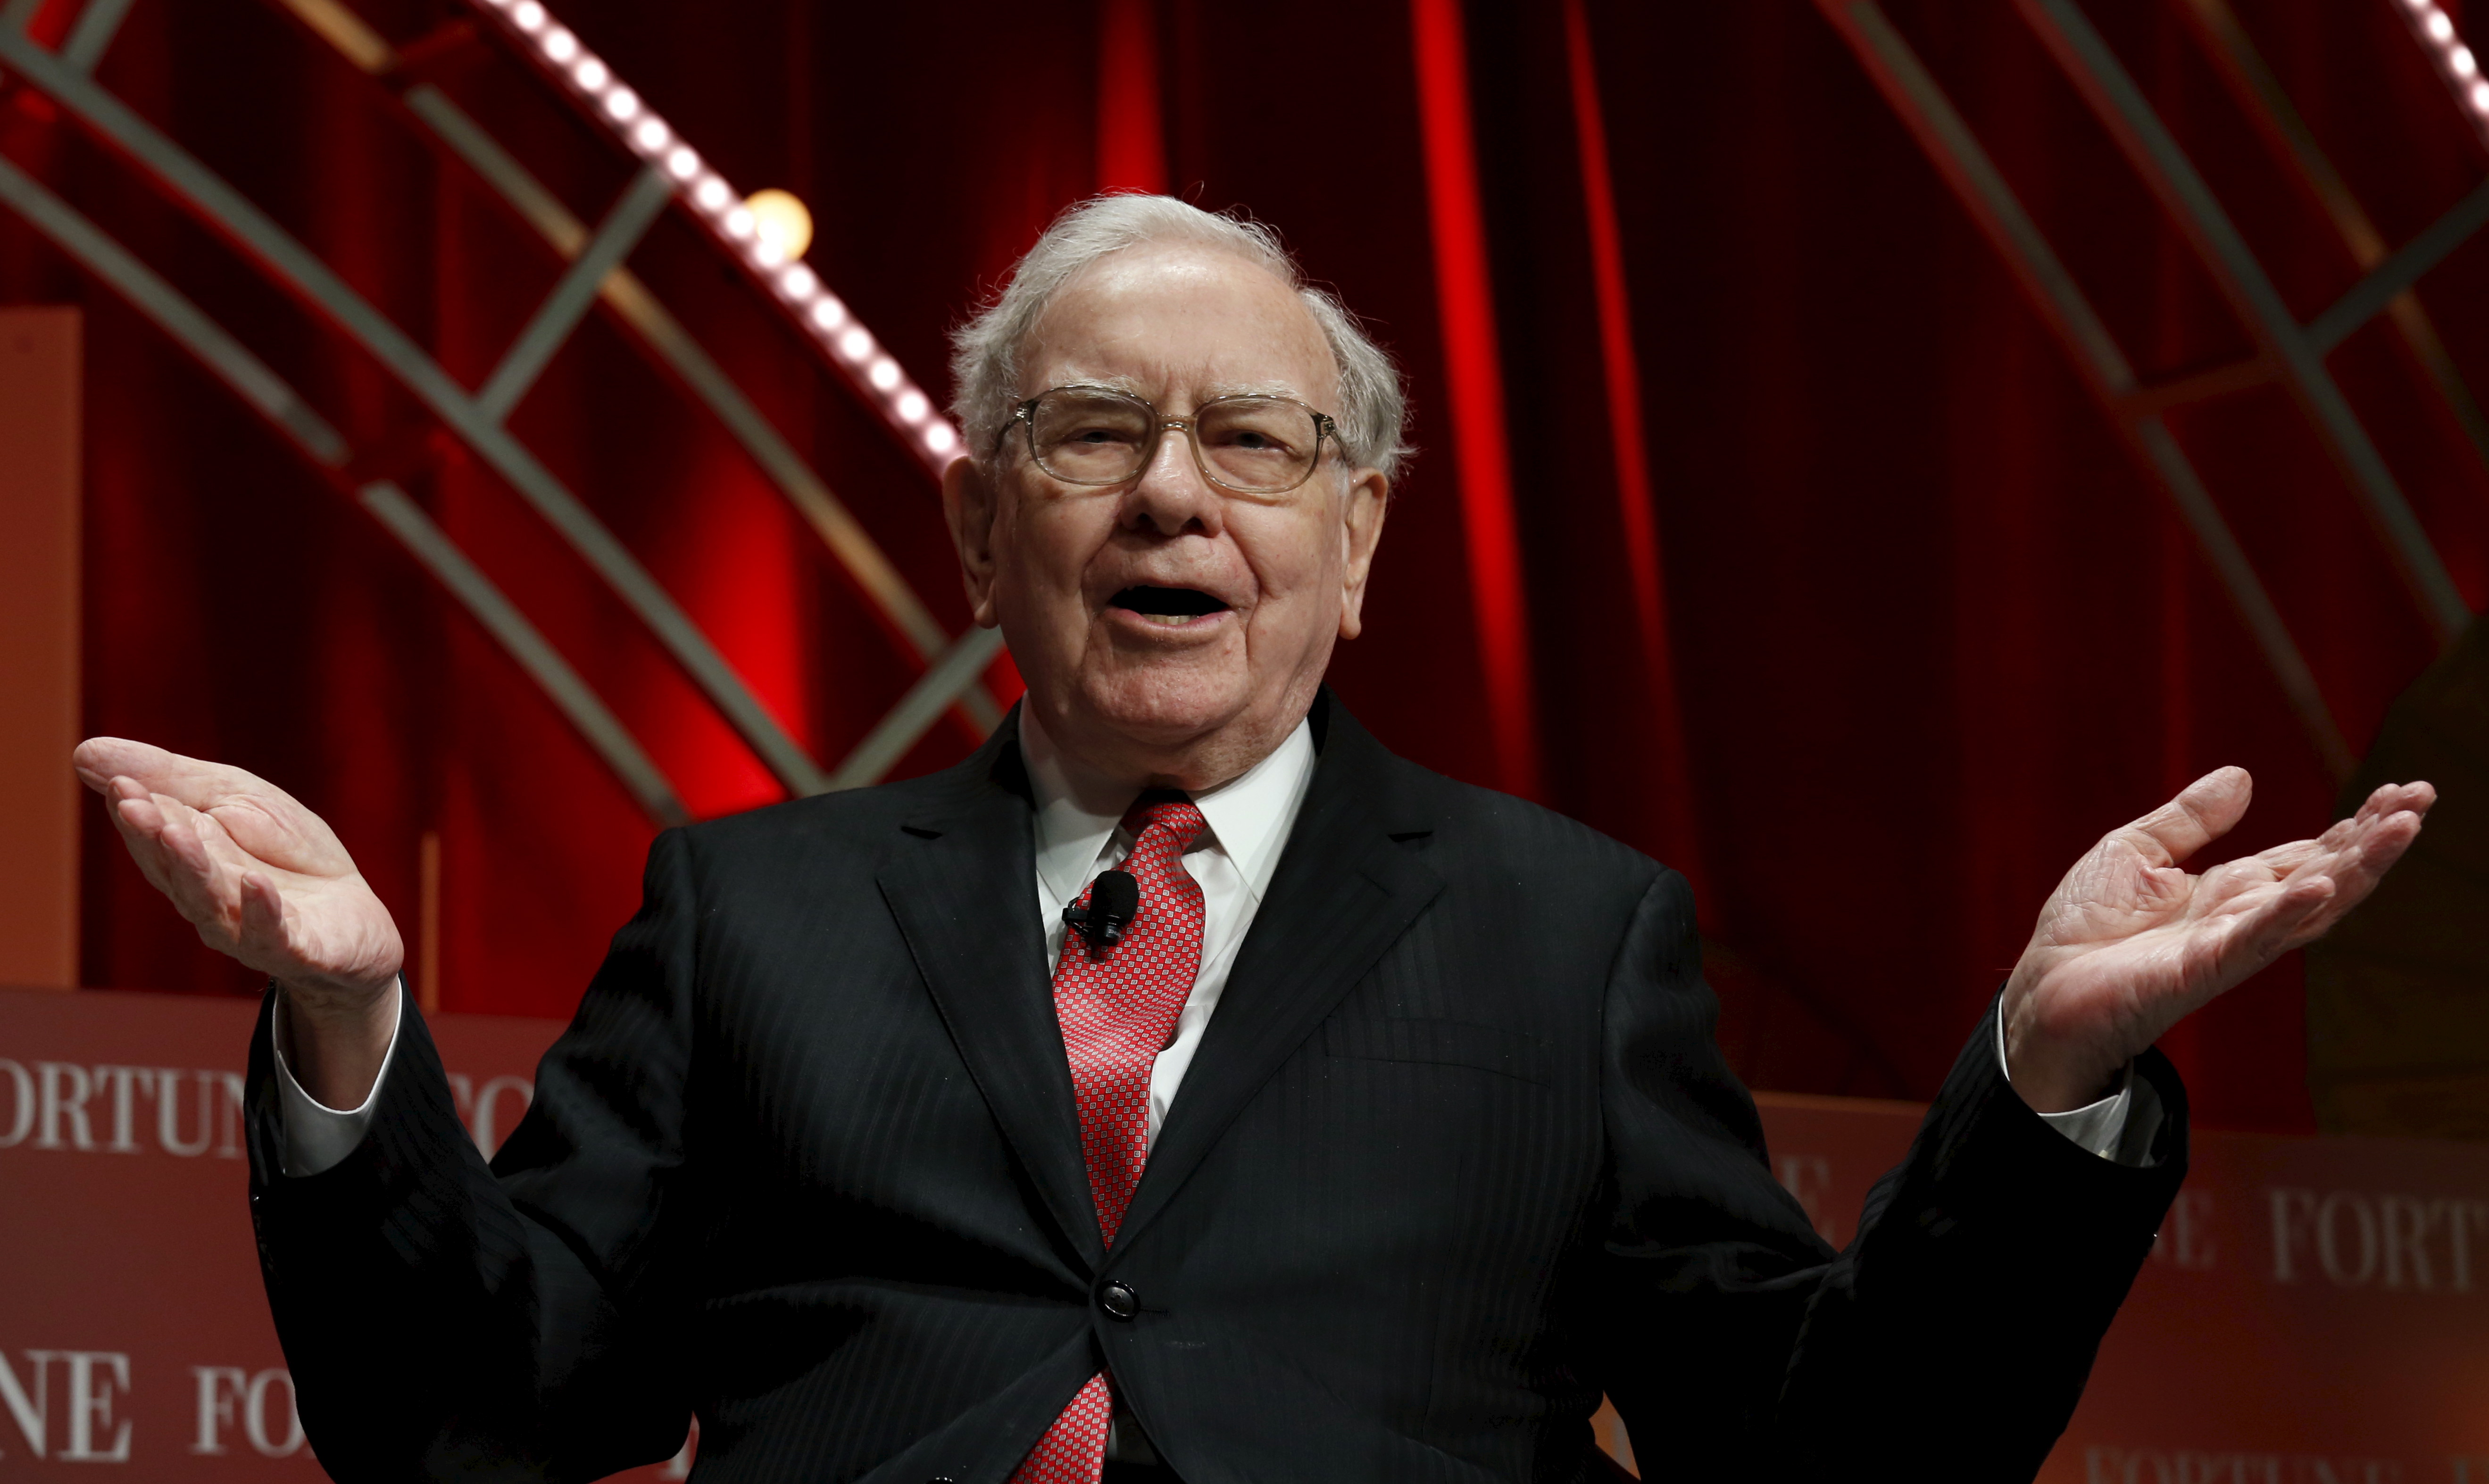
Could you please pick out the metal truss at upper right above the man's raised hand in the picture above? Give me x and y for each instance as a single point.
(2286, 352)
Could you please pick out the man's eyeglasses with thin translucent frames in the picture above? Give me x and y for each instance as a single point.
(1101, 437)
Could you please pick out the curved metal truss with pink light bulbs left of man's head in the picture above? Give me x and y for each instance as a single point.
(479, 417)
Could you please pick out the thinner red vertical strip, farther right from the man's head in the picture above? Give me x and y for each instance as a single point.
(1679, 838)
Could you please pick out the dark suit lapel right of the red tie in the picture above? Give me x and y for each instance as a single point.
(1340, 898)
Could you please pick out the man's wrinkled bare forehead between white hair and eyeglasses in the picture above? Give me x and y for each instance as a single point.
(1181, 325)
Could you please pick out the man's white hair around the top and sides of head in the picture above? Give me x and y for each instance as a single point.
(1373, 410)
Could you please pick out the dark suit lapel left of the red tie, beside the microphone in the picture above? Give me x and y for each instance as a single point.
(960, 885)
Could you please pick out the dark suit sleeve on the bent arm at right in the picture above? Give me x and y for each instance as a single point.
(1958, 1328)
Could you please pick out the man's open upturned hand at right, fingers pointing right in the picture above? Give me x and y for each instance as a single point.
(2129, 942)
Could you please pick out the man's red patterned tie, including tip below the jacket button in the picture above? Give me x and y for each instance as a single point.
(1119, 1015)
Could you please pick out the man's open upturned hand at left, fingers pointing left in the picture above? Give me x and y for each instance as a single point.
(270, 885)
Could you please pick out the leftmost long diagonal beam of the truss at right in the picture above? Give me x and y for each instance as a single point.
(1982, 190)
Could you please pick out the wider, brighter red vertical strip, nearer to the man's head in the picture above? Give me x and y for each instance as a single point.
(1475, 375)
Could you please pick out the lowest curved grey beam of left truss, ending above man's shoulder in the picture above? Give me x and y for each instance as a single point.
(325, 447)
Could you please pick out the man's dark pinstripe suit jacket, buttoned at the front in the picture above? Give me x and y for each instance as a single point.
(1455, 1157)
